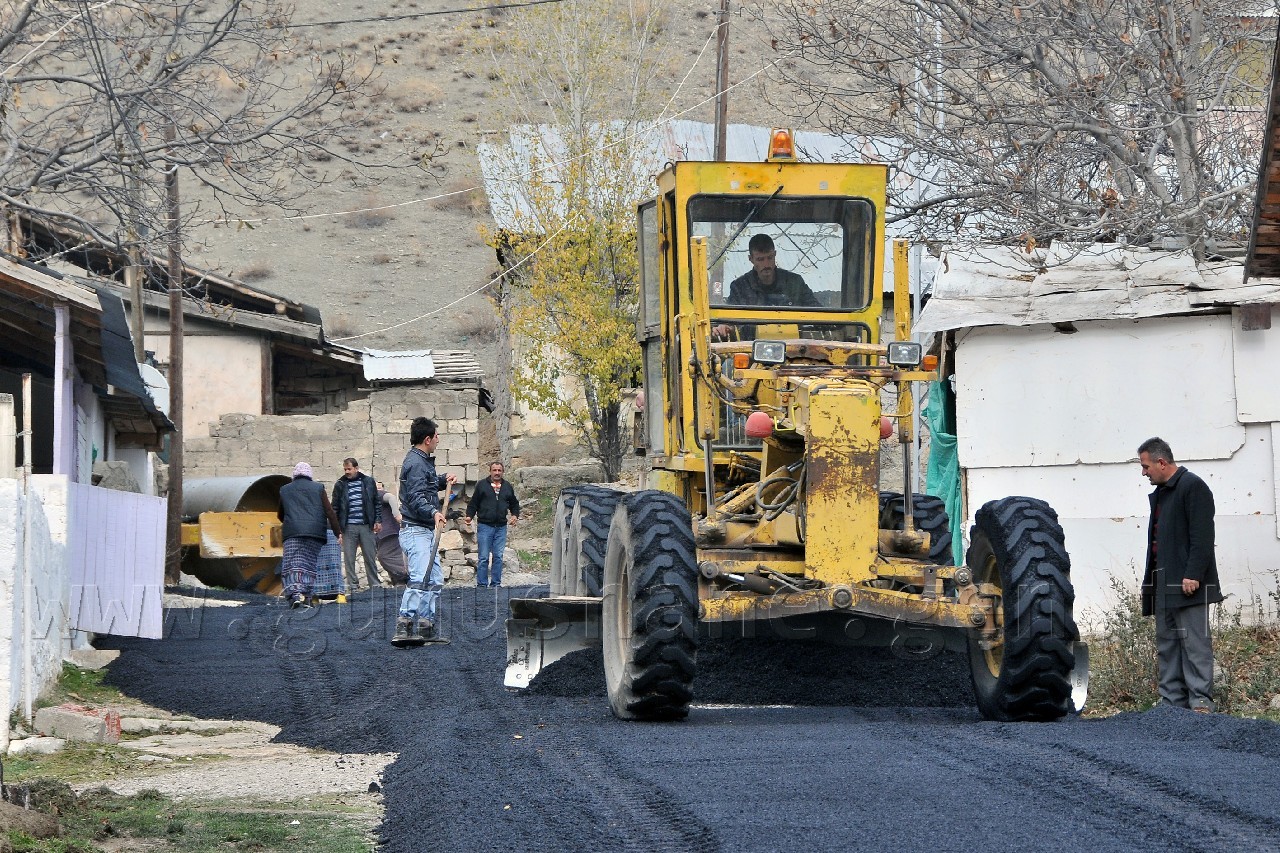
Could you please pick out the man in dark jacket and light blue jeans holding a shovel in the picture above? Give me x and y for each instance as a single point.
(423, 519)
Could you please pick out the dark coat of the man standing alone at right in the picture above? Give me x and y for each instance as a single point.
(1185, 548)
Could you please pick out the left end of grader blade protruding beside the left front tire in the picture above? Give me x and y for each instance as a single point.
(543, 631)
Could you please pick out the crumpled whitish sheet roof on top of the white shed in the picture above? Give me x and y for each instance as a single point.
(1007, 286)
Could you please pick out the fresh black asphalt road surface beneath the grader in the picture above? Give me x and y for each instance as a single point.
(789, 747)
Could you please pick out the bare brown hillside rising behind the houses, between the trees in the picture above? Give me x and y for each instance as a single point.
(381, 272)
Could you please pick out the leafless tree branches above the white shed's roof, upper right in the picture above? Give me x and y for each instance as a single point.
(1044, 120)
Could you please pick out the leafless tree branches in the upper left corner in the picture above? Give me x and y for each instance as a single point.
(89, 92)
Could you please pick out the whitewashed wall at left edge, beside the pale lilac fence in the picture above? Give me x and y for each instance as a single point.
(38, 636)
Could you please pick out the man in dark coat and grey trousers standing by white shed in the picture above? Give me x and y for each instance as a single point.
(1182, 578)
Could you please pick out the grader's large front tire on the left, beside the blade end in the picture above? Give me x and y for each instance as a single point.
(650, 621)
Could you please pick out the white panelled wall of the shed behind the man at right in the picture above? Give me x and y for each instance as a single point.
(1060, 417)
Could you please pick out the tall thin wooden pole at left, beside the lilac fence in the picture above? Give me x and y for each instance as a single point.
(173, 537)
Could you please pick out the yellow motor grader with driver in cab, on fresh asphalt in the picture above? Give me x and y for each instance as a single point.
(765, 373)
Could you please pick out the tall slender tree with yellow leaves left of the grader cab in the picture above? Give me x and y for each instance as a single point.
(578, 77)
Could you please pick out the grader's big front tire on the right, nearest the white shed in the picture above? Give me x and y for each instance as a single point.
(1018, 548)
